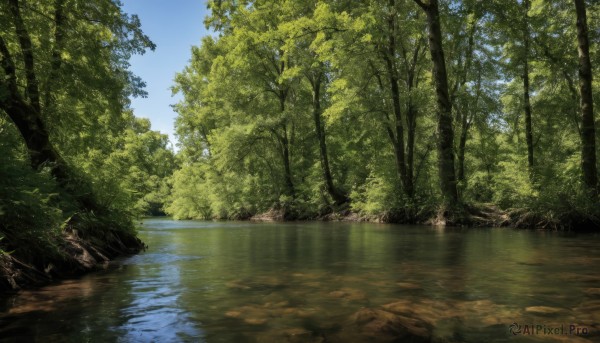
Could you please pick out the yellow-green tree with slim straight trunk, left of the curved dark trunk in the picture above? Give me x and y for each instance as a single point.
(268, 77)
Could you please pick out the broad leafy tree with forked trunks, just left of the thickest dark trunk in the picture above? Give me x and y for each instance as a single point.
(383, 59)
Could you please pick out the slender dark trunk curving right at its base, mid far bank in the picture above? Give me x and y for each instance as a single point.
(335, 194)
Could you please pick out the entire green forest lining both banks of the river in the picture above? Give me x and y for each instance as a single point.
(410, 111)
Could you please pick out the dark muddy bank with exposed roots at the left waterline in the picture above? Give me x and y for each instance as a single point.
(77, 255)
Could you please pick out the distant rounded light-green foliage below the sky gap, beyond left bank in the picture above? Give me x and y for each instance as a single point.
(131, 175)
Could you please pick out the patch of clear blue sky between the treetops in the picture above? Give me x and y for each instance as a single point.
(174, 26)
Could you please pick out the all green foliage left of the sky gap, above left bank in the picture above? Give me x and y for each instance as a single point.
(68, 102)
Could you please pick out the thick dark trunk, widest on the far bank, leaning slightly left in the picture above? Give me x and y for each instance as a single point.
(445, 142)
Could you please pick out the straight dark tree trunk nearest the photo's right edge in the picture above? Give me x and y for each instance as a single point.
(588, 131)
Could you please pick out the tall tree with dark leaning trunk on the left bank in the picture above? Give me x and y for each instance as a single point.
(41, 74)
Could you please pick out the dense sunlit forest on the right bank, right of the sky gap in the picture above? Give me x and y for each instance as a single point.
(455, 112)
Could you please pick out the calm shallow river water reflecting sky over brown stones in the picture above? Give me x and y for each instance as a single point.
(306, 282)
